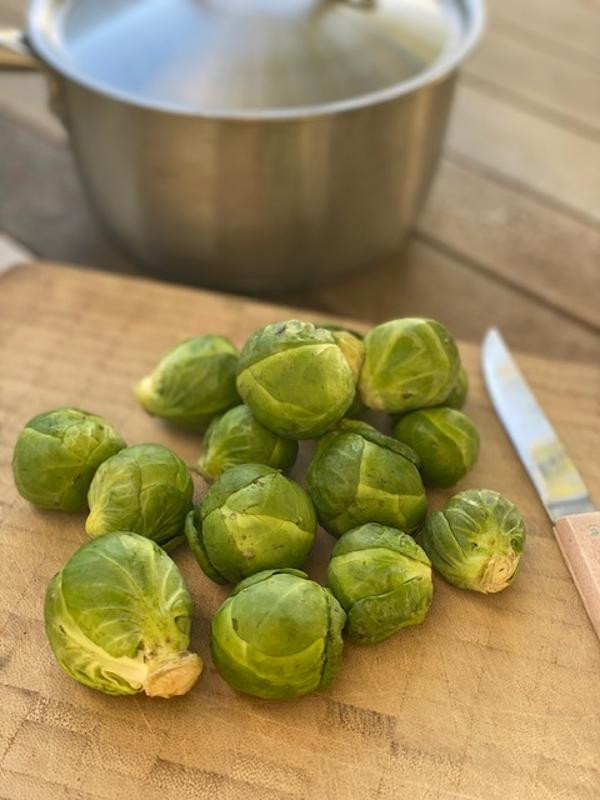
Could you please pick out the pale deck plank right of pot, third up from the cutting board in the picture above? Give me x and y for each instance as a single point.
(532, 152)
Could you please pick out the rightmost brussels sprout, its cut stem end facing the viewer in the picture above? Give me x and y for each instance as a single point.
(476, 541)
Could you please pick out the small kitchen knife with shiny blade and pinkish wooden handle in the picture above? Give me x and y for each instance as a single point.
(558, 483)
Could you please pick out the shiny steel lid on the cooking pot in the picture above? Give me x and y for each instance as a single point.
(252, 57)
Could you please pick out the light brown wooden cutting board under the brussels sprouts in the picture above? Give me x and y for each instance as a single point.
(493, 697)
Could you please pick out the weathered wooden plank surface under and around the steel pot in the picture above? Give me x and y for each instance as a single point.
(511, 232)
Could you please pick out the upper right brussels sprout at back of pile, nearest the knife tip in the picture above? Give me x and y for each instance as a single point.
(409, 363)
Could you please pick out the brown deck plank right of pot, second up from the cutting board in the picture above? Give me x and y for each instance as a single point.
(517, 238)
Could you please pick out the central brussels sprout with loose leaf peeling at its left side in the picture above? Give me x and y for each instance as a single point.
(251, 519)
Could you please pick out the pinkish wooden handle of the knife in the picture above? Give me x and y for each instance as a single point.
(578, 537)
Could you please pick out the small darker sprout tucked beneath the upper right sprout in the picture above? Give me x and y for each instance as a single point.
(445, 440)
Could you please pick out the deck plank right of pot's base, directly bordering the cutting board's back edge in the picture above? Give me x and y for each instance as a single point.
(431, 283)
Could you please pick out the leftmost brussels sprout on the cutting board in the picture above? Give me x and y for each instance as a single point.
(57, 454)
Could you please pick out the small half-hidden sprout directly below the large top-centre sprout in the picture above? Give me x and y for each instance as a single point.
(238, 437)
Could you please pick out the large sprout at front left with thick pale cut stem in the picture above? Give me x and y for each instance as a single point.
(118, 618)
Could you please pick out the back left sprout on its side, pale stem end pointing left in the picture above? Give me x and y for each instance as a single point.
(193, 383)
